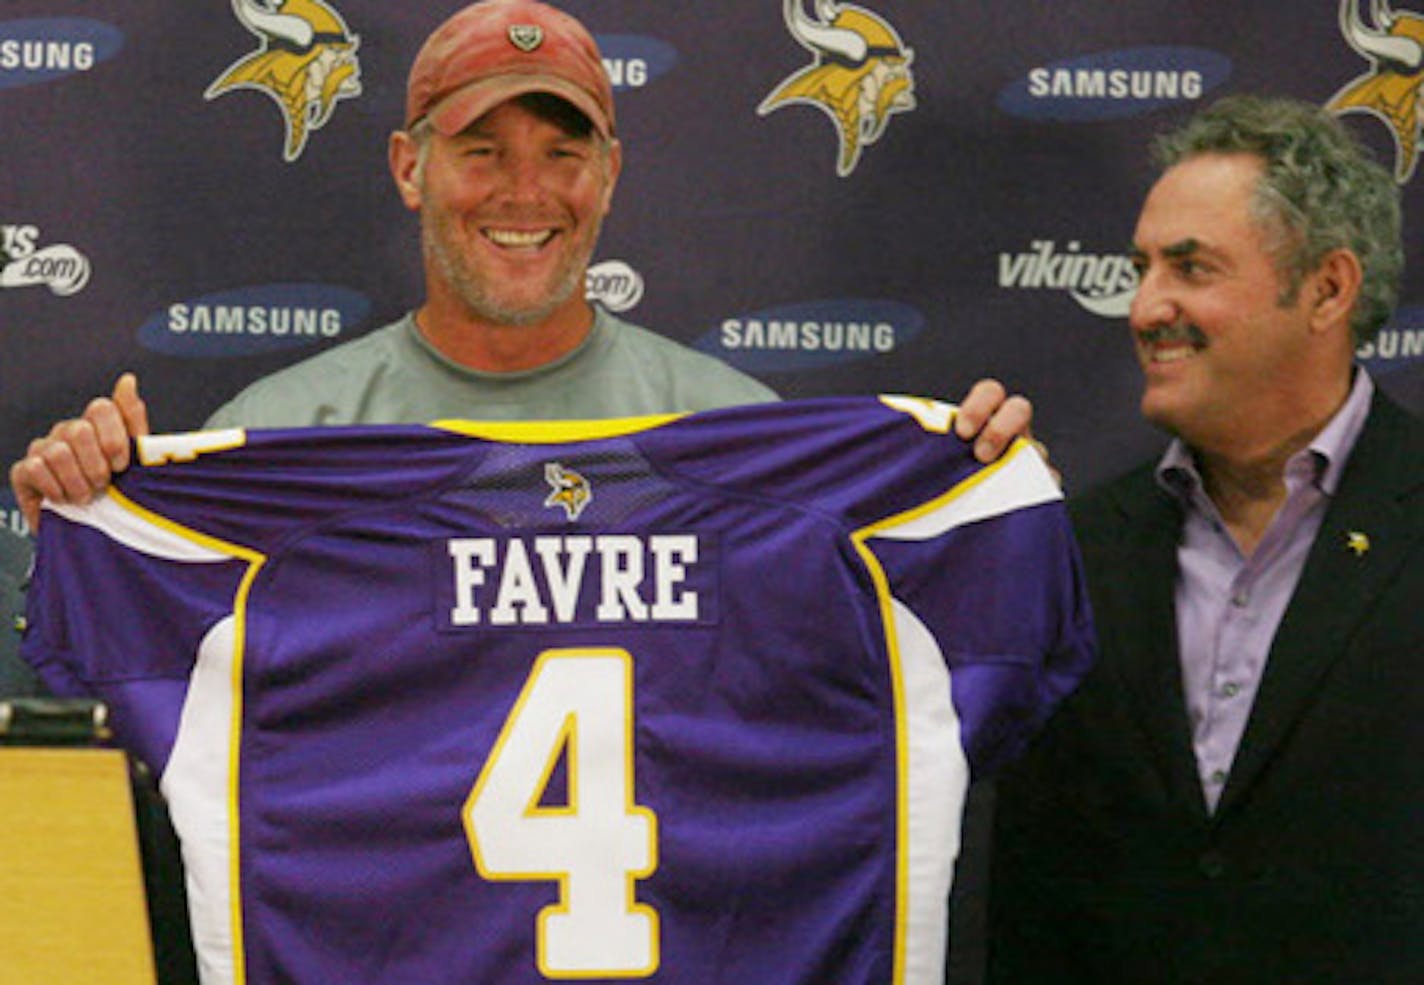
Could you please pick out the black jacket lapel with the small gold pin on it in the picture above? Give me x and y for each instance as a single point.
(1381, 496)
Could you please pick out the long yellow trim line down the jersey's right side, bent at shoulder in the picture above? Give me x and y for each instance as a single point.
(885, 599)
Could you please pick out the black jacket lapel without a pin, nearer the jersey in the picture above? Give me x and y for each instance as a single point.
(1141, 616)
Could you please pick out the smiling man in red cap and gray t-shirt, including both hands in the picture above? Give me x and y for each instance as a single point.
(511, 157)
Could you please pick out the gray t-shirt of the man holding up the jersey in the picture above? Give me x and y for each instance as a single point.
(394, 376)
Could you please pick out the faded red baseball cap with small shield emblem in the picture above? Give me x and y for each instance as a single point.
(495, 51)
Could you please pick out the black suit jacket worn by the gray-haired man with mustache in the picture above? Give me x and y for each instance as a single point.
(1109, 866)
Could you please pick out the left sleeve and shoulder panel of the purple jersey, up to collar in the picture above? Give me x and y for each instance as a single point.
(129, 590)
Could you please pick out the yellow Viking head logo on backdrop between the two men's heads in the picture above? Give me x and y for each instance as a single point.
(861, 76)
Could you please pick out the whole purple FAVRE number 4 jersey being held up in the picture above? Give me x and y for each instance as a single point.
(689, 700)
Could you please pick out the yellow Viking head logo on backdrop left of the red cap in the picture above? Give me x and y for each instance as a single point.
(307, 63)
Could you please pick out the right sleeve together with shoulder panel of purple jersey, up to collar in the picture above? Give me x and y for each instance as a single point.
(979, 563)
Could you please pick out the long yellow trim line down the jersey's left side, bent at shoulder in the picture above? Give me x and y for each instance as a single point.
(240, 618)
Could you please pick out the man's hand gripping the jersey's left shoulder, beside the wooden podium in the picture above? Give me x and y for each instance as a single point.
(79, 458)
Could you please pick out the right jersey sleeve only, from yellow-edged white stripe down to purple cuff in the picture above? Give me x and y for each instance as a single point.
(988, 579)
